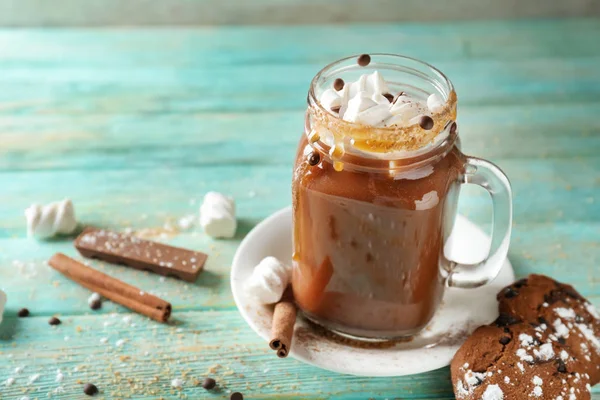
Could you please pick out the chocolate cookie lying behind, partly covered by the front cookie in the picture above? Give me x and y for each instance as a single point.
(560, 313)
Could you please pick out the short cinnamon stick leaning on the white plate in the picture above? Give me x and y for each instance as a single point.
(282, 330)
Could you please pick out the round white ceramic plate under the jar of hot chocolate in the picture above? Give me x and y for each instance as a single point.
(461, 311)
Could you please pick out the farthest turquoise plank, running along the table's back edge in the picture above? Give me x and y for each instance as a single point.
(319, 44)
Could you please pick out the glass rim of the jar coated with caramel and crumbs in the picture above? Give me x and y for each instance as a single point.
(407, 138)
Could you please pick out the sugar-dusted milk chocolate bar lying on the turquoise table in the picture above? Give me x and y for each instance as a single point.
(131, 251)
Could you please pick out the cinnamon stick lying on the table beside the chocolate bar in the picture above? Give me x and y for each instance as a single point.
(112, 288)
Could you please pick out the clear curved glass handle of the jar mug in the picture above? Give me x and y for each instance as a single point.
(491, 178)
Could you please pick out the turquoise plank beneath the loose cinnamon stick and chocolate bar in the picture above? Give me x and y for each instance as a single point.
(541, 248)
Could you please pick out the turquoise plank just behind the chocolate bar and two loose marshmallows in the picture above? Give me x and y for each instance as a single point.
(548, 190)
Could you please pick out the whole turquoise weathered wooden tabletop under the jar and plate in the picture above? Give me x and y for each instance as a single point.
(136, 125)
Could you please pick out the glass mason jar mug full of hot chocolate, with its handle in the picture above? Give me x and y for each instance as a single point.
(375, 189)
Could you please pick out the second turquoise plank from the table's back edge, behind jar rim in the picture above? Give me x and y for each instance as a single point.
(72, 91)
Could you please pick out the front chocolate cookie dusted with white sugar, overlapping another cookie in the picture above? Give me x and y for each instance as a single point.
(512, 360)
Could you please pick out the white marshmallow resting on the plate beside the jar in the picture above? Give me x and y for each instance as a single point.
(268, 281)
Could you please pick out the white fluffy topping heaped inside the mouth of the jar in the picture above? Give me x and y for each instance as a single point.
(367, 101)
